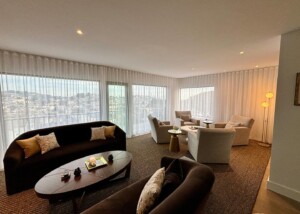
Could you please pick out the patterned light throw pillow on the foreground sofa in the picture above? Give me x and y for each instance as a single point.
(151, 191)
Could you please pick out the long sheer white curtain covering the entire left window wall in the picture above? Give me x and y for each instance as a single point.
(38, 92)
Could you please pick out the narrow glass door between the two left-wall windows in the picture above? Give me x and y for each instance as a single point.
(117, 100)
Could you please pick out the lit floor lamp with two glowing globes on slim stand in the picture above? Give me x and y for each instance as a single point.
(266, 105)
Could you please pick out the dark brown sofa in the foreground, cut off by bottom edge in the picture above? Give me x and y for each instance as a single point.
(189, 197)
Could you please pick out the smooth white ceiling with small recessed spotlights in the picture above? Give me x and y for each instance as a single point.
(177, 38)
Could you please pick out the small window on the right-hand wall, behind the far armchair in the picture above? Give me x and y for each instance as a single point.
(200, 101)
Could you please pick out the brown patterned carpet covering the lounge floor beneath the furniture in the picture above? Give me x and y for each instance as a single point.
(234, 191)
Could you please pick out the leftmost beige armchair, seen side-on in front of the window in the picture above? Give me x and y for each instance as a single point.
(159, 130)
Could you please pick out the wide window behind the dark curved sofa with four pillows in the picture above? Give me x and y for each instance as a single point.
(30, 102)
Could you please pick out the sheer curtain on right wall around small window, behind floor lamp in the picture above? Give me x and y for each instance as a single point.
(240, 92)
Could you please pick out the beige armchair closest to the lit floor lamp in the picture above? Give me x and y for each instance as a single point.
(242, 126)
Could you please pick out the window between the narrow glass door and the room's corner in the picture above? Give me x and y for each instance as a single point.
(147, 100)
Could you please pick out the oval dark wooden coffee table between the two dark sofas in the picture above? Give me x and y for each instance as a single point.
(53, 188)
